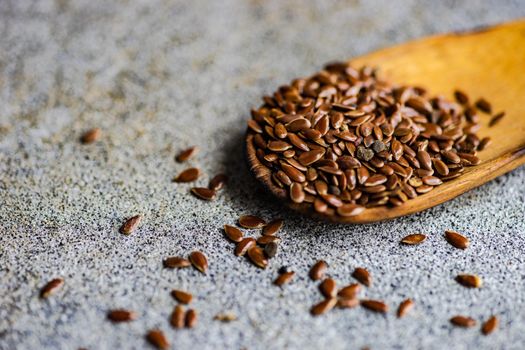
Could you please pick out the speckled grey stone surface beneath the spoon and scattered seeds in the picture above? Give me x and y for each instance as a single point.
(158, 76)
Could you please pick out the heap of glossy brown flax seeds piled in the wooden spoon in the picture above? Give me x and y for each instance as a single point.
(343, 140)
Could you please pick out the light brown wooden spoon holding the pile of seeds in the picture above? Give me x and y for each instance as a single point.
(488, 63)
